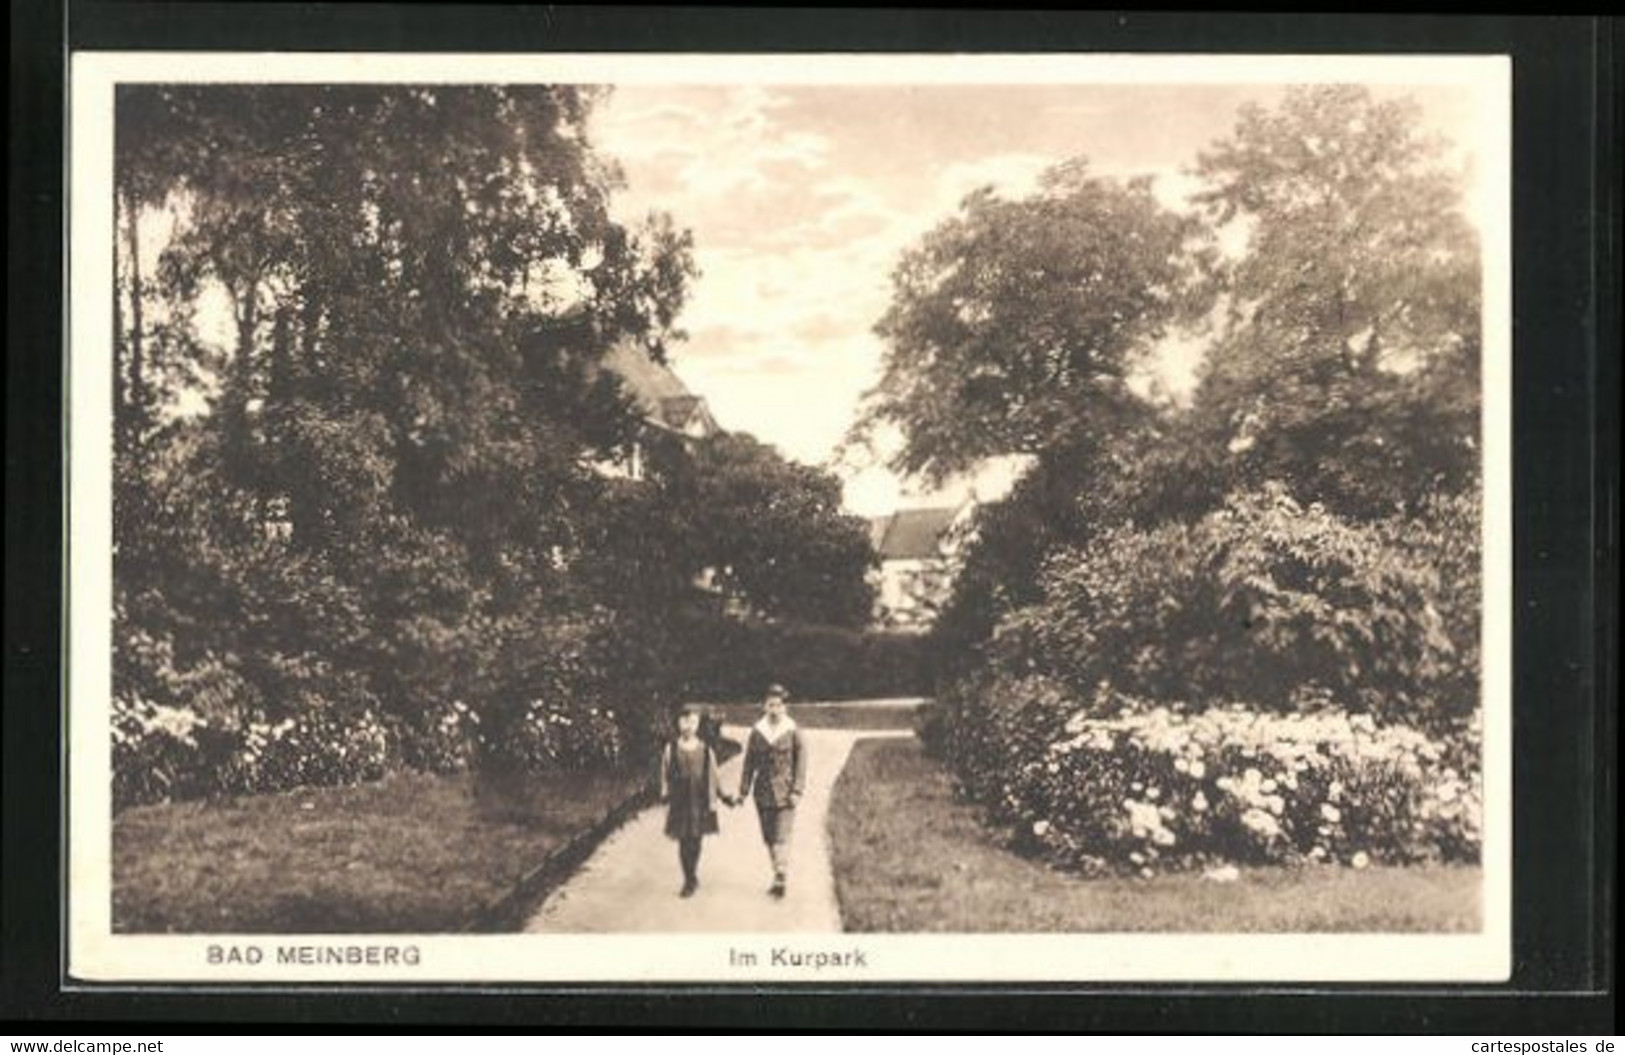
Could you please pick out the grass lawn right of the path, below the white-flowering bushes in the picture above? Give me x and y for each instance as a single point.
(909, 857)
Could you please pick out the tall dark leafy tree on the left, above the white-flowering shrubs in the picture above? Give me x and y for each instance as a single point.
(399, 436)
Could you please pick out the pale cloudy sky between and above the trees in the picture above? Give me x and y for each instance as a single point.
(802, 201)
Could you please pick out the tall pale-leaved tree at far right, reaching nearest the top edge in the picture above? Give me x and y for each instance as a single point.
(1348, 360)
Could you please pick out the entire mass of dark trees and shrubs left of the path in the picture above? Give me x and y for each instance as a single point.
(376, 506)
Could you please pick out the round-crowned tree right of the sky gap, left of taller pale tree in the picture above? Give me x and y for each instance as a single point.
(1016, 324)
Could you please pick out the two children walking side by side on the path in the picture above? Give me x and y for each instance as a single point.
(774, 775)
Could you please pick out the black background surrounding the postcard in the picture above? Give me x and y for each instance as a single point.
(1567, 401)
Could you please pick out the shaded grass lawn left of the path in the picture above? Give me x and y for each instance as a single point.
(409, 854)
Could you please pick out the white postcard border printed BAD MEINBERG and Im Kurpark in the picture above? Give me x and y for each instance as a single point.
(97, 955)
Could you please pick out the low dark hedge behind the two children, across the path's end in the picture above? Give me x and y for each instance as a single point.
(727, 659)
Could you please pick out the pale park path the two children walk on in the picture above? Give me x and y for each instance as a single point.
(630, 885)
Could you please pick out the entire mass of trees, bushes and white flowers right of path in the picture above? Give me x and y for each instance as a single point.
(1302, 536)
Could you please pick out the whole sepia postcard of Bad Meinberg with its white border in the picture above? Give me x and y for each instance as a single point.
(789, 519)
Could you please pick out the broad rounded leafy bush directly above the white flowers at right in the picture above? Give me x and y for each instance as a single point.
(1262, 601)
